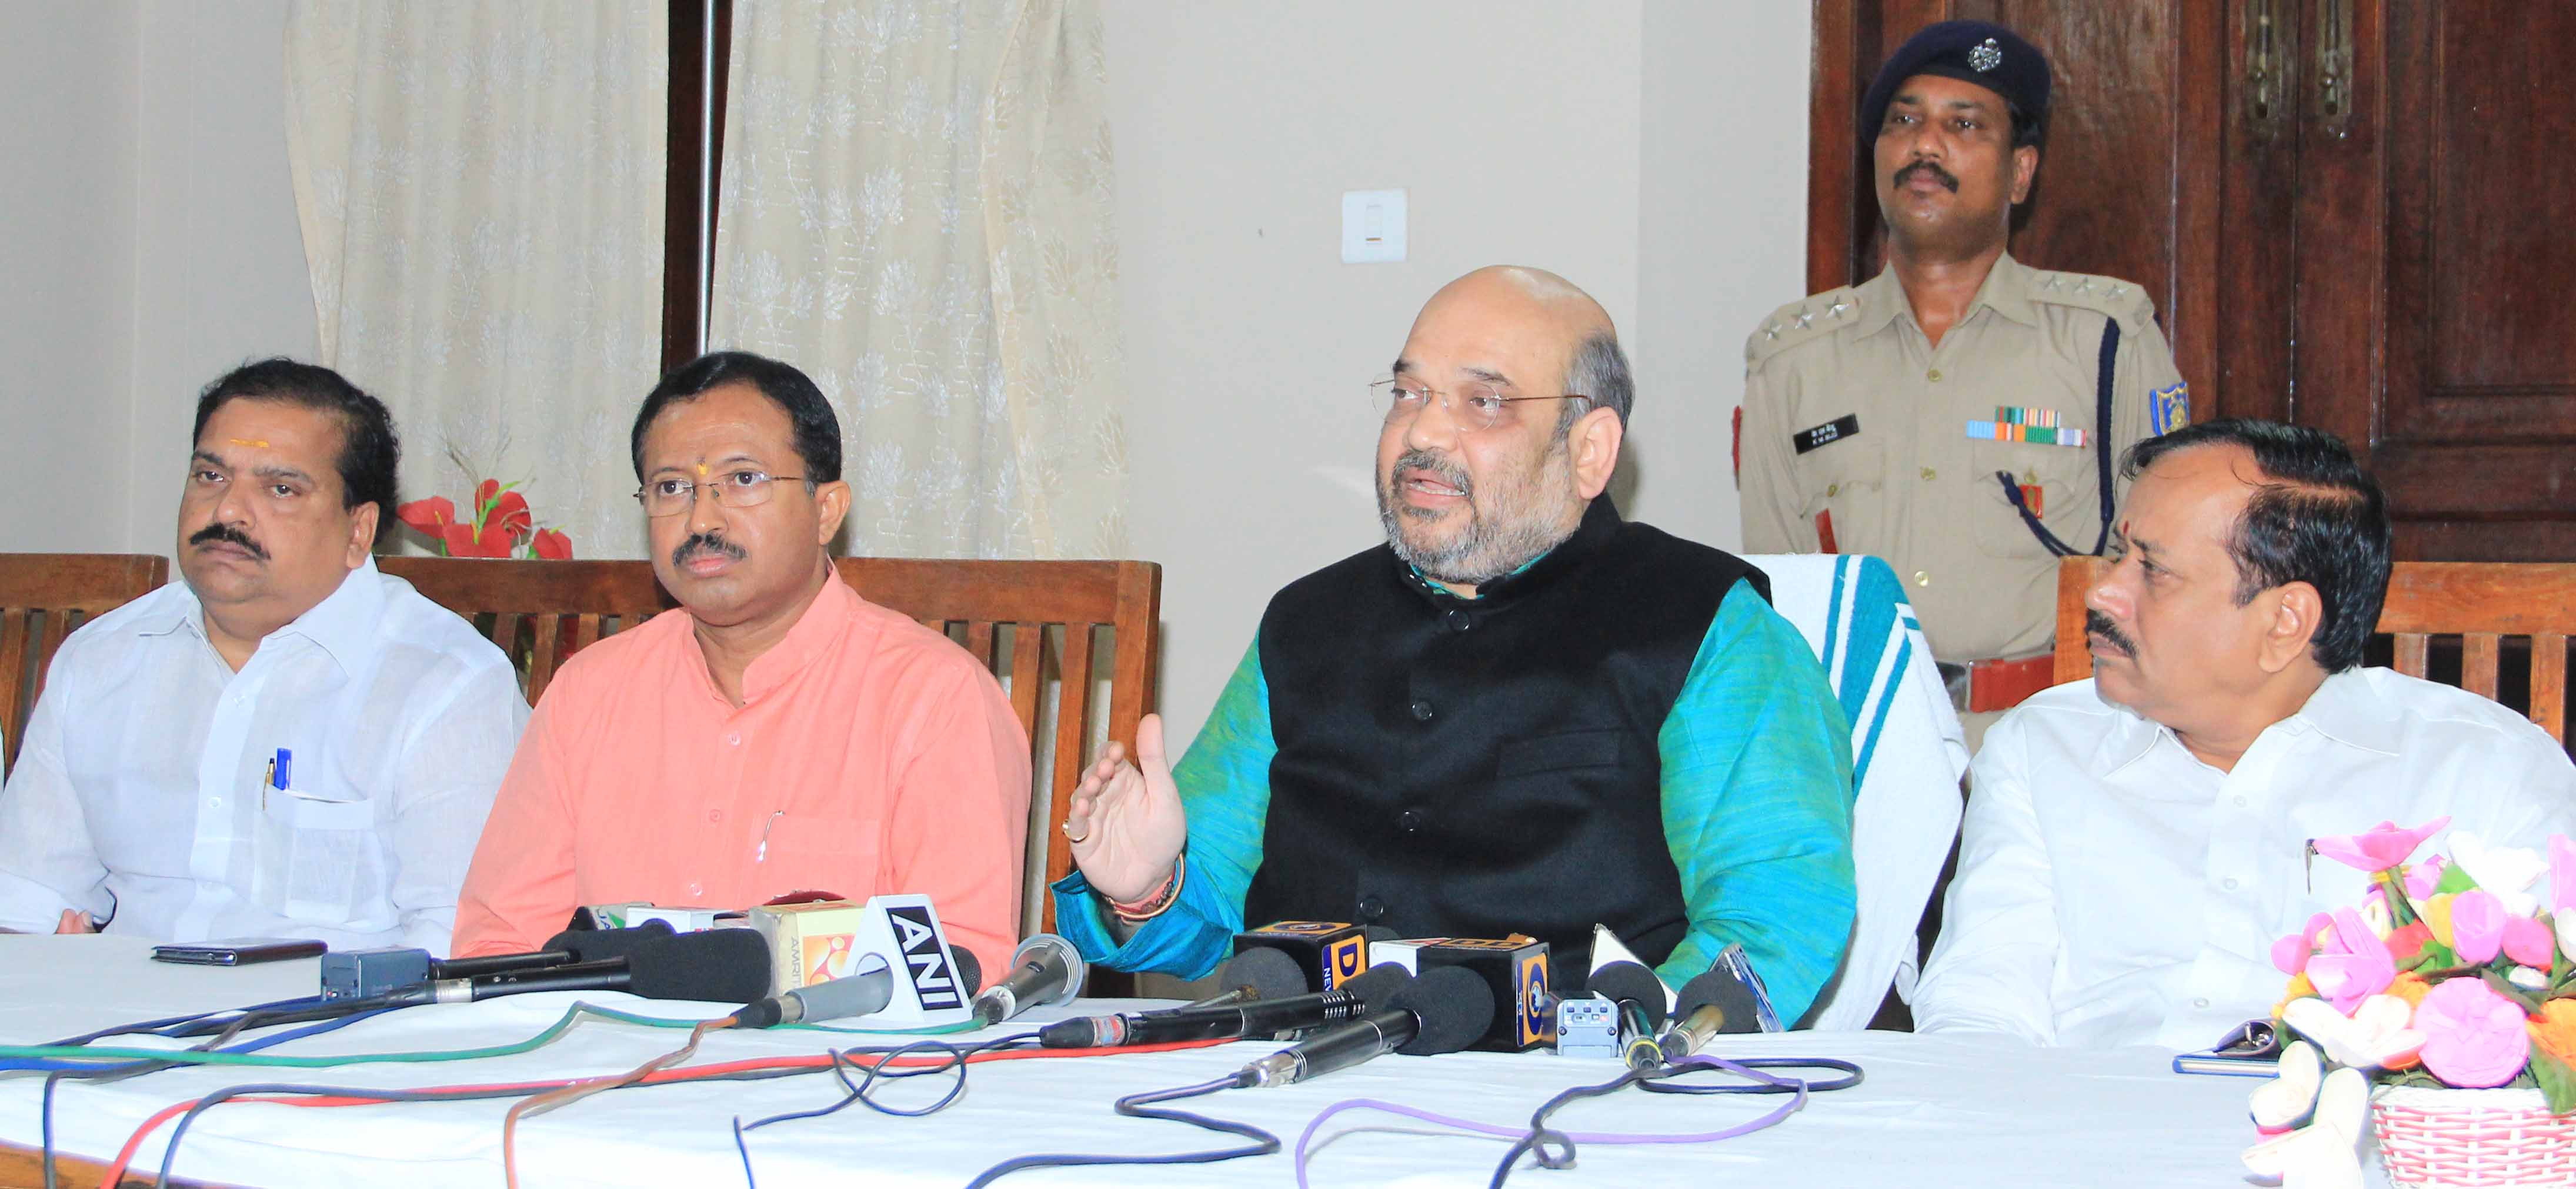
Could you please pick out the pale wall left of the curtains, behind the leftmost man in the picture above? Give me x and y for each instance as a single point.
(151, 246)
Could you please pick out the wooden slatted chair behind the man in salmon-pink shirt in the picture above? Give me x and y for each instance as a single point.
(1032, 624)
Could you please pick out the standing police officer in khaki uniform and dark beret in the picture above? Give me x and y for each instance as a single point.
(1959, 413)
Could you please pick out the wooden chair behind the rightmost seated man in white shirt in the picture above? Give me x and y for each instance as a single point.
(2477, 601)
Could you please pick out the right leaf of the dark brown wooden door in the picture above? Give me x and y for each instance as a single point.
(2436, 251)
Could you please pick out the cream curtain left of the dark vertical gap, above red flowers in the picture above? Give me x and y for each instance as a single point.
(480, 187)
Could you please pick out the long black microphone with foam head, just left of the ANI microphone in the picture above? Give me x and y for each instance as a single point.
(725, 966)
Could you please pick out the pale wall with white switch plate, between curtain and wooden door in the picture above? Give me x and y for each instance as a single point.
(1650, 151)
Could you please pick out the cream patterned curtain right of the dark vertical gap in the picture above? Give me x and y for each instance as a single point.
(916, 210)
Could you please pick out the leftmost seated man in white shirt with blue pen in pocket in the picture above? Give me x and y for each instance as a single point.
(282, 745)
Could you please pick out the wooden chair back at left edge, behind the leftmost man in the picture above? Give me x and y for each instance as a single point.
(43, 598)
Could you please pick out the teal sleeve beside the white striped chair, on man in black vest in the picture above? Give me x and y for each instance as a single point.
(1758, 807)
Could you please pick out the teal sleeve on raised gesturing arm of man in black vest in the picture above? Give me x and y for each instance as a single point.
(1225, 786)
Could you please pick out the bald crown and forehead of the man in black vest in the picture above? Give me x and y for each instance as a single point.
(1537, 315)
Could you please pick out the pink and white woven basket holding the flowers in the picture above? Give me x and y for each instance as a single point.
(2441, 1139)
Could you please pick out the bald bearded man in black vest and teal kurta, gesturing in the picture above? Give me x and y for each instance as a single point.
(1519, 714)
